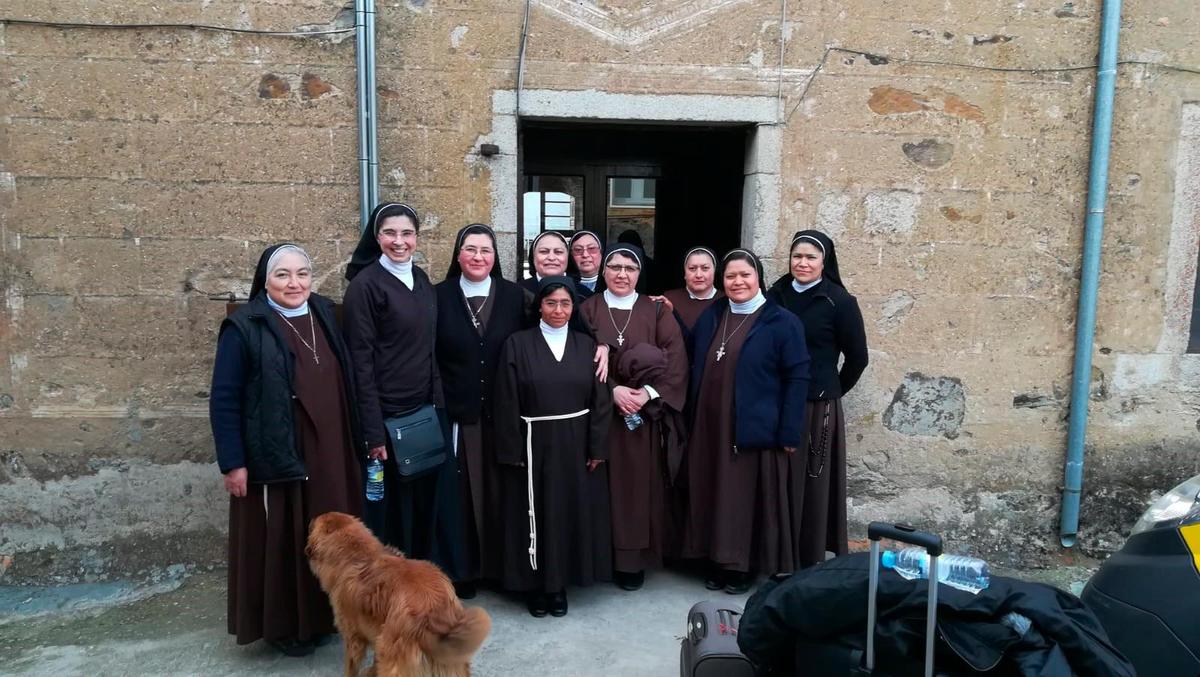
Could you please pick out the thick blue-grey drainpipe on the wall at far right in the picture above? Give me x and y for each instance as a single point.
(1090, 274)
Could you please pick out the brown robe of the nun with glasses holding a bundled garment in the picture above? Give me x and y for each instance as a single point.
(638, 464)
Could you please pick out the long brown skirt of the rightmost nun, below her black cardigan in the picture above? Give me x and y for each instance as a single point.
(824, 523)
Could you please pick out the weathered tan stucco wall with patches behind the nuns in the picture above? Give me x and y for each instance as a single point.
(145, 170)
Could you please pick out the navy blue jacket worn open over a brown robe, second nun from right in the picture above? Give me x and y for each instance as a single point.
(772, 382)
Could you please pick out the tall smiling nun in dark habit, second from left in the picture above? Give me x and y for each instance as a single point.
(391, 323)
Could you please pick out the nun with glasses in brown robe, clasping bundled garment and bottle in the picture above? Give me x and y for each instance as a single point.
(639, 469)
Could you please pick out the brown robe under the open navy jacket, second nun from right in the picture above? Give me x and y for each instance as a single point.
(745, 510)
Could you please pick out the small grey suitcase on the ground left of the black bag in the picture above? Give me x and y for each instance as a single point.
(711, 646)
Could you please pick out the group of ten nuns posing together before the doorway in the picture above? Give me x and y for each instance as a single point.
(596, 430)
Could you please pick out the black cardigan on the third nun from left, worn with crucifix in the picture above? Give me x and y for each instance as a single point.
(466, 360)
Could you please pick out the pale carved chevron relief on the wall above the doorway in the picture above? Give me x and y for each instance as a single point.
(635, 22)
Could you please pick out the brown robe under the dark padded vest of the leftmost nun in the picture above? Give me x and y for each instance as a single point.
(273, 594)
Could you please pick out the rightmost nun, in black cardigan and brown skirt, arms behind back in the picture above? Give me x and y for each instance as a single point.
(833, 326)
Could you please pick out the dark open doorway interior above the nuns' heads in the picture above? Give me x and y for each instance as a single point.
(677, 188)
